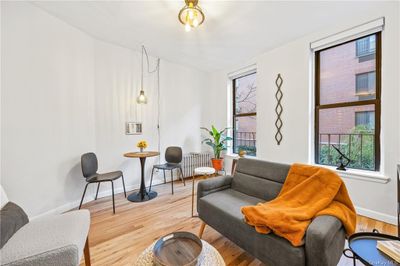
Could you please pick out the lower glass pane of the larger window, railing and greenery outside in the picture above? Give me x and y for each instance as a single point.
(352, 130)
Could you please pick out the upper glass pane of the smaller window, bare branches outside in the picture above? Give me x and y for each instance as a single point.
(245, 94)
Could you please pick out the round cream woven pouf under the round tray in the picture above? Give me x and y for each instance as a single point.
(209, 256)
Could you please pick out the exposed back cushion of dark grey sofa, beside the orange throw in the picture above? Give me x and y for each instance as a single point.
(258, 178)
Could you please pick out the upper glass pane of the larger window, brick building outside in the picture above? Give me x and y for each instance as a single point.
(345, 77)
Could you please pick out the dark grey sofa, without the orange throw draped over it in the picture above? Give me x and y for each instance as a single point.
(219, 201)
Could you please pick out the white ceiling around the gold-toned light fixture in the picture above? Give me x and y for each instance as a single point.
(233, 32)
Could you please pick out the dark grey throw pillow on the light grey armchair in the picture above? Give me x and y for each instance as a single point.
(12, 218)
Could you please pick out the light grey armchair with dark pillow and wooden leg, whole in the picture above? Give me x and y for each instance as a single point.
(59, 240)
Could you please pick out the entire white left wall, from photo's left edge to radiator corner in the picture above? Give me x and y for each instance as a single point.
(65, 93)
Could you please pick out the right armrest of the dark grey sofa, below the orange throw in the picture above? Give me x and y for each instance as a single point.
(324, 241)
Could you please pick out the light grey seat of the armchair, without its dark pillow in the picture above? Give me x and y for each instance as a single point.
(50, 240)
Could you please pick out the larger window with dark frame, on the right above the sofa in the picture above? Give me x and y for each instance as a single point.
(347, 113)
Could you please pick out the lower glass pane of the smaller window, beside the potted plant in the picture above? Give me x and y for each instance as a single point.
(245, 135)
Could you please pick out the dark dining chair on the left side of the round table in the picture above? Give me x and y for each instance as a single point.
(89, 166)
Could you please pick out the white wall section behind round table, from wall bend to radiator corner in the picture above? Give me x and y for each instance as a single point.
(117, 85)
